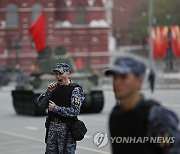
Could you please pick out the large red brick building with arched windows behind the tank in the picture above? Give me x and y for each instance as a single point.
(78, 25)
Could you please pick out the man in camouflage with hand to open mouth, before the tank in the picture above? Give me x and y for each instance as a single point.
(63, 100)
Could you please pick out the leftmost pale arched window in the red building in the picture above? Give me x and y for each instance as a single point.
(12, 16)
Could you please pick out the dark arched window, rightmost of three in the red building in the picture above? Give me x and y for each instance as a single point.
(80, 14)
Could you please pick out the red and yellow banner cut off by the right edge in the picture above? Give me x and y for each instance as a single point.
(175, 44)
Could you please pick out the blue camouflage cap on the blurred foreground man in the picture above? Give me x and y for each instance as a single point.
(124, 65)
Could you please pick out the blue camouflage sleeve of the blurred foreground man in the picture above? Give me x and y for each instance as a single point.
(164, 123)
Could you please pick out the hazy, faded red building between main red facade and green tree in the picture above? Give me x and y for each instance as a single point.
(123, 12)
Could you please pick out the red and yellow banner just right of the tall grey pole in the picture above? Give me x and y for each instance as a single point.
(160, 41)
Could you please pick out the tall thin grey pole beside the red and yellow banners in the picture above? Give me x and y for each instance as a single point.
(150, 35)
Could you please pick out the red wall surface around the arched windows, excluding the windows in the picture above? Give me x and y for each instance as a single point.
(75, 39)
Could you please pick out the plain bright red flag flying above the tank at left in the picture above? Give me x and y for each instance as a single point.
(37, 32)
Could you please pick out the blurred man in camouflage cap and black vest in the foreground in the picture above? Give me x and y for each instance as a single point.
(135, 117)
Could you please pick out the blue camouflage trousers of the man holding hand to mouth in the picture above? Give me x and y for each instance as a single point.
(56, 137)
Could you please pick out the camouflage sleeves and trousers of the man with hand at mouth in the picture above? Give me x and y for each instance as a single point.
(57, 131)
